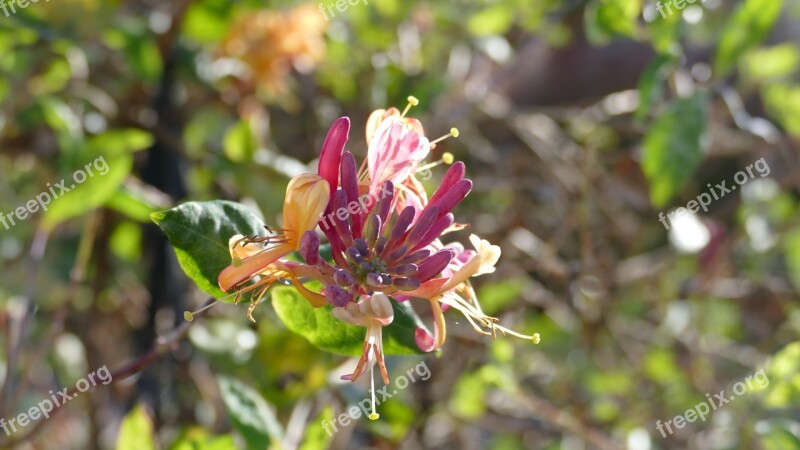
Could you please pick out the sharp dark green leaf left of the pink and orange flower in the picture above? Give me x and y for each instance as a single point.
(199, 232)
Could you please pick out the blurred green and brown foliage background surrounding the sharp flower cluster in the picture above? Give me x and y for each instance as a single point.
(580, 121)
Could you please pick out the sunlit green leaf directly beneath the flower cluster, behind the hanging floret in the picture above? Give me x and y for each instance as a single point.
(324, 331)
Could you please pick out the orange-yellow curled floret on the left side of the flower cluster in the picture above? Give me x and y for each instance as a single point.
(306, 199)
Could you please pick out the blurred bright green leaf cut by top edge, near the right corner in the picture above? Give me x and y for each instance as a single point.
(748, 26)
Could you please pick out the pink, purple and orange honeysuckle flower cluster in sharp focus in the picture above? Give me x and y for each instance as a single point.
(384, 234)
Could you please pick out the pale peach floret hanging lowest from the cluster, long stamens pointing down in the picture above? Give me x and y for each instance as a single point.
(374, 312)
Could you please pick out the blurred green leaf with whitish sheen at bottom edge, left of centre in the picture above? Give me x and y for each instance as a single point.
(250, 414)
